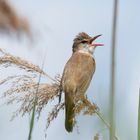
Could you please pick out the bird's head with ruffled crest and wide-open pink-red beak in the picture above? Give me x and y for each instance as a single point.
(85, 43)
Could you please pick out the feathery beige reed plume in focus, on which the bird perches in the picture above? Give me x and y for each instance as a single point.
(23, 90)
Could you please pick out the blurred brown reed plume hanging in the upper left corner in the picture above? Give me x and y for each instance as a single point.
(10, 21)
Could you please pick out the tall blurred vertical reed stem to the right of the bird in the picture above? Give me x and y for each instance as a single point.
(113, 72)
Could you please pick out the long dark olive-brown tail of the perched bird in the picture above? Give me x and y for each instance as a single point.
(69, 112)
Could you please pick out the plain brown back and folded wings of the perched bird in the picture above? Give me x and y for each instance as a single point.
(78, 72)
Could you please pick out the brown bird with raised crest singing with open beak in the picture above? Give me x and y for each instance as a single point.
(77, 74)
